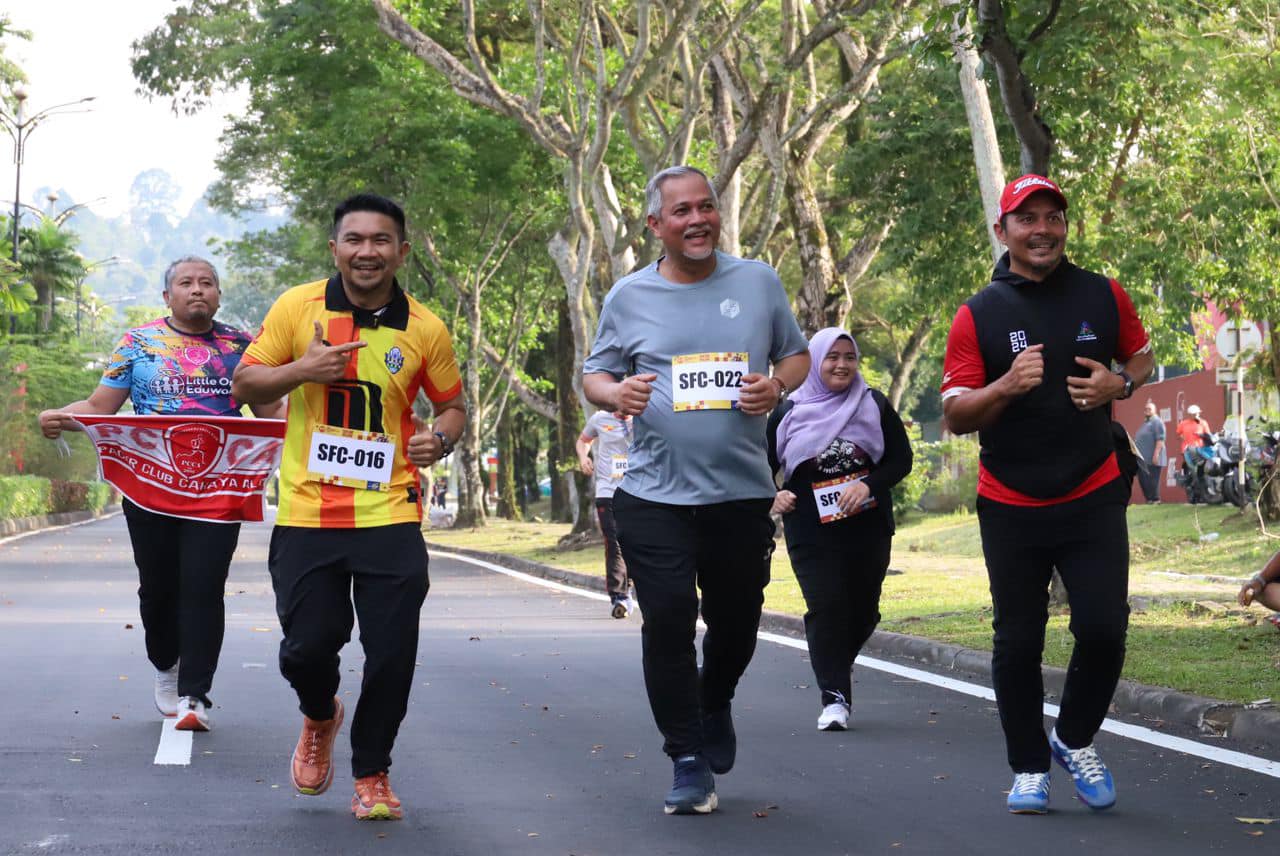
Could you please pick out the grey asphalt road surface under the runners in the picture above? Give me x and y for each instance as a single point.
(528, 734)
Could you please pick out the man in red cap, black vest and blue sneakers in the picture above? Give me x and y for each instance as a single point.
(1028, 367)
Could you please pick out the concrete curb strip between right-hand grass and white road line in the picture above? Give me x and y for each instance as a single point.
(1256, 729)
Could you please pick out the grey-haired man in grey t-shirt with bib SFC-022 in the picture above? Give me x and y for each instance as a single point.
(685, 347)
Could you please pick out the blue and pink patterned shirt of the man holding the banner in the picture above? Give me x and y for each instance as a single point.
(170, 372)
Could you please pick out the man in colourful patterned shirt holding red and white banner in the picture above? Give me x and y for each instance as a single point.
(180, 365)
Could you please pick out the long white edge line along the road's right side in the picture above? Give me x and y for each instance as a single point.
(1242, 761)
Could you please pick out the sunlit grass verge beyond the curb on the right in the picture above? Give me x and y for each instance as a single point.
(1217, 651)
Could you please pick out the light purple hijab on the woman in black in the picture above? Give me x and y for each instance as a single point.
(820, 415)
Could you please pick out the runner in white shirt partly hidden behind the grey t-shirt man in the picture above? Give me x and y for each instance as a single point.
(611, 433)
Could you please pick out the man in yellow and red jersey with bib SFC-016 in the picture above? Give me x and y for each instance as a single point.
(353, 354)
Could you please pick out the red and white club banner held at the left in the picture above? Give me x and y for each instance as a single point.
(213, 469)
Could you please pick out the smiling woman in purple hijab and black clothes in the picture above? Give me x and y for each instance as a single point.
(840, 447)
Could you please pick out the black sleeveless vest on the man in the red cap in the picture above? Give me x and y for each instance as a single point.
(1043, 446)
